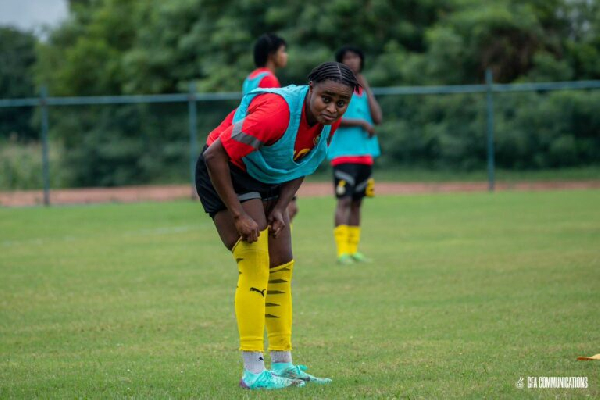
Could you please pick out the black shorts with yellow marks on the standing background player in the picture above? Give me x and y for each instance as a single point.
(353, 180)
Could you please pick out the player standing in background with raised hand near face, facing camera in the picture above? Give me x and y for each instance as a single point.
(351, 153)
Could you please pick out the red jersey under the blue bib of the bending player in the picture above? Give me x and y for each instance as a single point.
(267, 120)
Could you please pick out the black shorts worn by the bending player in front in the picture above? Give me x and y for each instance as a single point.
(246, 187)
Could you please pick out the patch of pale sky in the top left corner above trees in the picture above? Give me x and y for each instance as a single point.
(32, 14)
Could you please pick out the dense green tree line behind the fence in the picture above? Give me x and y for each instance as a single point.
(114, 47)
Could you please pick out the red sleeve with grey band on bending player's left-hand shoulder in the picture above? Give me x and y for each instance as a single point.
(267, 120)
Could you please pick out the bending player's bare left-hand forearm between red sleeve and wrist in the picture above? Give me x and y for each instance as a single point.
(217, 161)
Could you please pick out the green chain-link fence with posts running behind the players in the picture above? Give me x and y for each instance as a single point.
(132, 140)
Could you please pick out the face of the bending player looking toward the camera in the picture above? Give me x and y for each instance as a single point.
(327, 101)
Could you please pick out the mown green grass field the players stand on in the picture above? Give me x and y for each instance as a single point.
(467, 294)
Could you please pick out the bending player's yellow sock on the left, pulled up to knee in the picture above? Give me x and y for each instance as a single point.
(251, 292)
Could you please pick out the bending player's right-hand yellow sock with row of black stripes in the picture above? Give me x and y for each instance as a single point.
(278, 315)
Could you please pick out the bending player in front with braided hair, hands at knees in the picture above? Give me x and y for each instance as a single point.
(254, 164)
